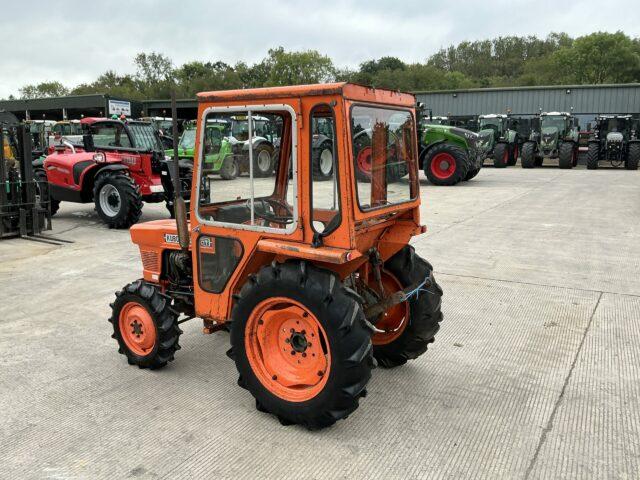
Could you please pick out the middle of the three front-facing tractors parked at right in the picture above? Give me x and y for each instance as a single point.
(554, 135)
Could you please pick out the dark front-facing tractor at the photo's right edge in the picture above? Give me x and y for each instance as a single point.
(614, 140)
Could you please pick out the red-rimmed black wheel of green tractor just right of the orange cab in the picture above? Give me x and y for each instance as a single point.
(446, 164)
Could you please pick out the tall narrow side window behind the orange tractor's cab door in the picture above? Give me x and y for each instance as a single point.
(325, 196)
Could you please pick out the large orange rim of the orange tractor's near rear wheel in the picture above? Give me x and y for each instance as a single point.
(287, 349)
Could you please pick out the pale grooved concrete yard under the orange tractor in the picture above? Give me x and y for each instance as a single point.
(533, 375)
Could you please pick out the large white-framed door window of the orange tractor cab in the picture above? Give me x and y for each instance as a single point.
(239, 179)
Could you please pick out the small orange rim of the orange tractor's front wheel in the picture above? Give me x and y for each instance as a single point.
(137, 328)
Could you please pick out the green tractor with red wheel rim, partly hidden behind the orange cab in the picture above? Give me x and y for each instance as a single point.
(448, 154)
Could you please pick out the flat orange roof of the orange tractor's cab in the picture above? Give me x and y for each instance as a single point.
(350, 91)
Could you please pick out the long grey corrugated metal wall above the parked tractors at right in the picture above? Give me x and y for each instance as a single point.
(528, 100)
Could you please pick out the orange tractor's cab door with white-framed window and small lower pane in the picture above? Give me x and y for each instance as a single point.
(229, 217)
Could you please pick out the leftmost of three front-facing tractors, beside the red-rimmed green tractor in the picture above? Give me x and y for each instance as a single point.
(499, 139)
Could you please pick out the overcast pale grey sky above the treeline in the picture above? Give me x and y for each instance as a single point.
(74, 41)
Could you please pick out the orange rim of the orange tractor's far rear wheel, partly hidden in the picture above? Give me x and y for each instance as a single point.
(394, 320)
